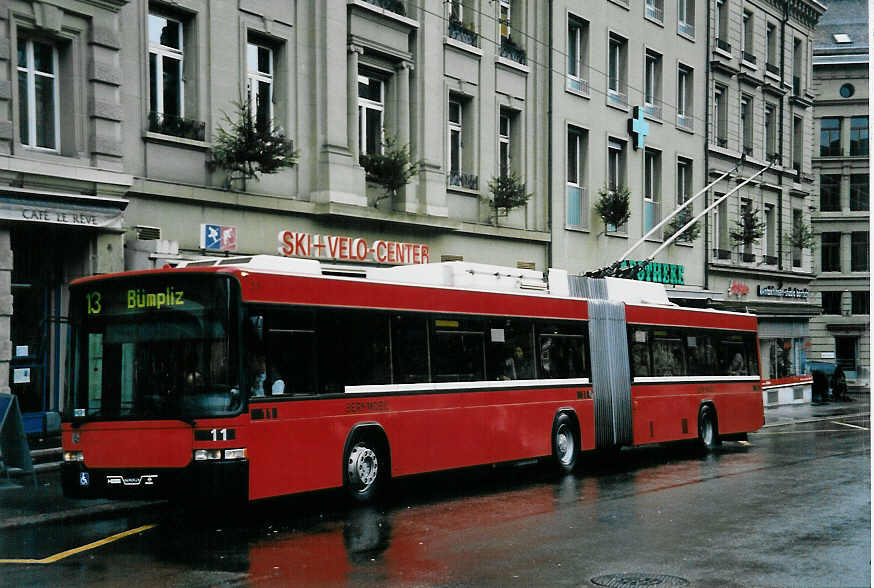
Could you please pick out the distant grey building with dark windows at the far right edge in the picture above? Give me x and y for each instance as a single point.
(841, 335)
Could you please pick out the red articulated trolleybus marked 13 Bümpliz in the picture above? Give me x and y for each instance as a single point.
(247, 378)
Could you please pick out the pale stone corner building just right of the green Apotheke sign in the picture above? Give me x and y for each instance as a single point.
(760, 118)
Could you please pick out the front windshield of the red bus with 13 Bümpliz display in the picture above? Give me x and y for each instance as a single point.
(153, 346)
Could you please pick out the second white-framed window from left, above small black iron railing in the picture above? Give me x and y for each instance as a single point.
(166, 86)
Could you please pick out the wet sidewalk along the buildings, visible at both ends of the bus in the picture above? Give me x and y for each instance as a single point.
(22, 505)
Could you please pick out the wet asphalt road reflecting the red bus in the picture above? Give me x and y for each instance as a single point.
(791, 508)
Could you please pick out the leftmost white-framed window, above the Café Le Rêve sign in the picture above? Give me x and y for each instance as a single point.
(38, 112)
